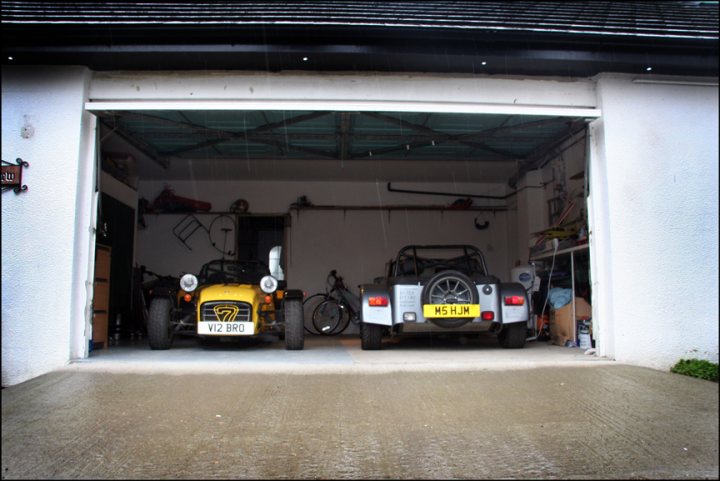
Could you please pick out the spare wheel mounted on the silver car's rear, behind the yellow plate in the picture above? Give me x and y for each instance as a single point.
(450, 287)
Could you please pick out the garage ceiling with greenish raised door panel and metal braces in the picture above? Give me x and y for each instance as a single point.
(335, 145)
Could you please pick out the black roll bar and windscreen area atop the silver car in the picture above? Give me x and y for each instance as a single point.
(426, 260)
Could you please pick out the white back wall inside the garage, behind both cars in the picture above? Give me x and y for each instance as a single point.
(356, 242)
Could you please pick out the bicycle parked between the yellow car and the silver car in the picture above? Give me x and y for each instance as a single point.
(332, 311)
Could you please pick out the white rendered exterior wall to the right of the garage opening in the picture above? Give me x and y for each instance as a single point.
(655, 221)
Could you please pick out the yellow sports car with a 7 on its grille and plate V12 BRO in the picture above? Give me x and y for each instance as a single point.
(228, 298)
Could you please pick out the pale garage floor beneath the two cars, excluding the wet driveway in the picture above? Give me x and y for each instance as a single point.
(336, 354)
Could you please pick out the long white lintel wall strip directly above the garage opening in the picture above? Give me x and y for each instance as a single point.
(352, 90)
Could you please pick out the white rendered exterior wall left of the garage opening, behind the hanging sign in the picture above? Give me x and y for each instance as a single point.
(47, 242)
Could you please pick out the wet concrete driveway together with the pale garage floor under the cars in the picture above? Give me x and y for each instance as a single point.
(419, 409)
